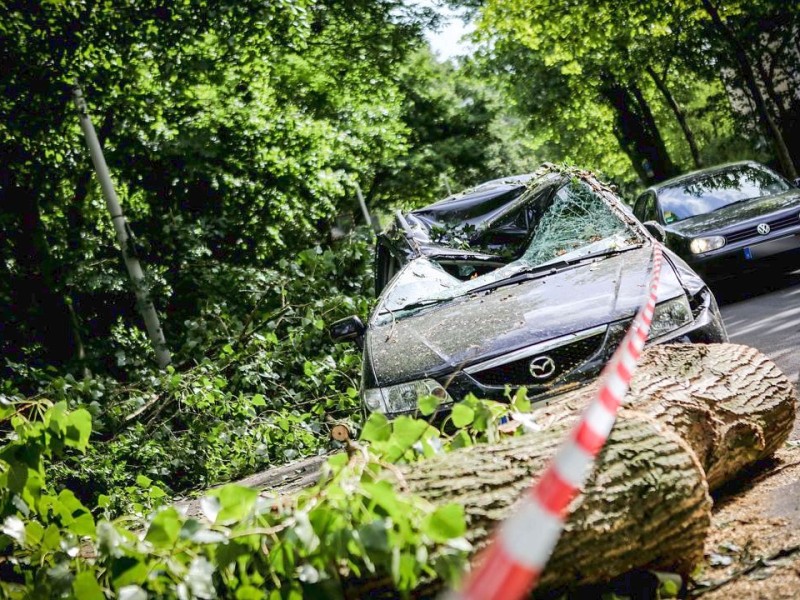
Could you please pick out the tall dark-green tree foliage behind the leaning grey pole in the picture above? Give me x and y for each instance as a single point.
(232, 131)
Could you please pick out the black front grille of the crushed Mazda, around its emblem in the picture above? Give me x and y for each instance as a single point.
(566, 358)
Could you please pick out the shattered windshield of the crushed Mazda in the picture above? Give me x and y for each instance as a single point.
(424, 283)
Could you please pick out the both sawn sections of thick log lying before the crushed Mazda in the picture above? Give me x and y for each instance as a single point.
(697, 415)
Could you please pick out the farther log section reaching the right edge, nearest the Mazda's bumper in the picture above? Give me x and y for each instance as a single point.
(730, 403)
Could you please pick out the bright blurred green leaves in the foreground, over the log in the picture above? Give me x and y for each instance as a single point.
(350, 524)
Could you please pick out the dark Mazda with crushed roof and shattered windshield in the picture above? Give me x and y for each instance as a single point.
(528, 281)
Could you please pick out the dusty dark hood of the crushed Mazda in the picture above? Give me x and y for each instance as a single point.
(480, 326)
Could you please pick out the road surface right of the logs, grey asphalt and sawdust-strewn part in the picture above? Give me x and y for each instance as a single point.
(761, 519)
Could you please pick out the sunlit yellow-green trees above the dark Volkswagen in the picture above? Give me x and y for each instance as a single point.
(603, 83)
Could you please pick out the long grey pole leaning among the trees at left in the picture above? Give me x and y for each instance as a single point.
(135, 272)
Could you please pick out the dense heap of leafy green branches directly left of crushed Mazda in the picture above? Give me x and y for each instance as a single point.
(259, 386)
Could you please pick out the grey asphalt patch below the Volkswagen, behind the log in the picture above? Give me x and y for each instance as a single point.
(764, 312)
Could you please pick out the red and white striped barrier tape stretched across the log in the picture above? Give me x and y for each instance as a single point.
(510, 566)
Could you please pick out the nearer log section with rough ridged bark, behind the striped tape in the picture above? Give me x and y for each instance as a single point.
(647, 502)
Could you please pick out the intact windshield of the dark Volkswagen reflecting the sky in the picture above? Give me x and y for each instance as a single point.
(706, 193)
